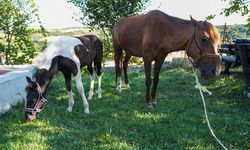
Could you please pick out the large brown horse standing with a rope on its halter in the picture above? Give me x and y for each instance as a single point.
(154, 35)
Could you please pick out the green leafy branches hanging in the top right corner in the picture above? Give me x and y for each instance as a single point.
(241, 7)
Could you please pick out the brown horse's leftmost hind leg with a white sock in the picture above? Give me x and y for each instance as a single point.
(118, 68)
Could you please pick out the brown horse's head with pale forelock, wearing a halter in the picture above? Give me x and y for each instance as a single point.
(203, 48)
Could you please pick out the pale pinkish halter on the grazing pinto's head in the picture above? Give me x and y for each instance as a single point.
(41, 100)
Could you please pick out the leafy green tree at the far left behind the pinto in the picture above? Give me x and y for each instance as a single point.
(17, 43)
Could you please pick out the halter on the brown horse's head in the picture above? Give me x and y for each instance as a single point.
(201, 54)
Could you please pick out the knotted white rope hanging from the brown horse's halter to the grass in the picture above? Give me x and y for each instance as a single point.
(203, 89)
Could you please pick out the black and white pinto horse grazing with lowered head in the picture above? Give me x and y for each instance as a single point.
(67, 55)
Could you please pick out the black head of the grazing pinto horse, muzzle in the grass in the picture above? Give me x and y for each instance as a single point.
(35, 94)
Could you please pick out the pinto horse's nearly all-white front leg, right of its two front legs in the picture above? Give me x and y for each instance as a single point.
(80, 89)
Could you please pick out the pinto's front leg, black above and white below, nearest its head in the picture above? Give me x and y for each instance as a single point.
(67, 77)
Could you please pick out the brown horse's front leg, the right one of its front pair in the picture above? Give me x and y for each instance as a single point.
(157, 68)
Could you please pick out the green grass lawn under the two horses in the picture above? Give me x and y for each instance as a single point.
(123, 122)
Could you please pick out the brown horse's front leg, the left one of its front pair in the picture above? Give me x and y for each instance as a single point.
(147, 67)
